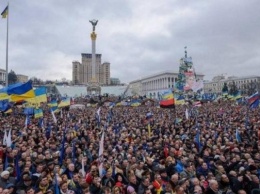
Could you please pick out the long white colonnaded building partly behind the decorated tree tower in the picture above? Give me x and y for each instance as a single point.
(153, 85)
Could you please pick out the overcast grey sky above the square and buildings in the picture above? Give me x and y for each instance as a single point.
(138, 37)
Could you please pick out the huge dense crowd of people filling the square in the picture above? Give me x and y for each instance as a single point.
(146, 150)
